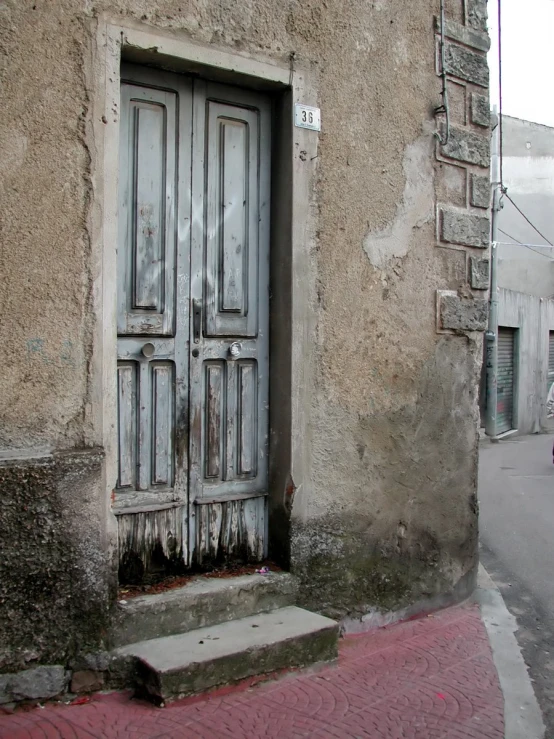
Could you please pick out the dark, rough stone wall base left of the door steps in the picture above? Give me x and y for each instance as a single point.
(54, 570)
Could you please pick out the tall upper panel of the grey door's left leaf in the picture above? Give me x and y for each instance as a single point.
(147, 204)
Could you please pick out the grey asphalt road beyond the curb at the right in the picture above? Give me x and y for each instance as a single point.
(516, 499)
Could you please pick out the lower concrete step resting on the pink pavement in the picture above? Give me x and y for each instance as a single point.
(185, 664)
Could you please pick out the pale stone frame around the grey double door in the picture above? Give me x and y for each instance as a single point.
(293, 242)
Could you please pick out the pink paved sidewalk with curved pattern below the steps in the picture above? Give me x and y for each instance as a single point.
(423, 679)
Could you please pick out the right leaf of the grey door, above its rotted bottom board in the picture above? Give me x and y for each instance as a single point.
(230, 283)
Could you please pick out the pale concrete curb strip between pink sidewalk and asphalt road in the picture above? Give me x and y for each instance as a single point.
(522, 715)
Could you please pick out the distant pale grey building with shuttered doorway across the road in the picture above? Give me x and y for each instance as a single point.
(525, 277)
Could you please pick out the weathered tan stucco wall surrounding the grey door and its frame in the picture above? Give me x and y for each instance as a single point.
(384, 509)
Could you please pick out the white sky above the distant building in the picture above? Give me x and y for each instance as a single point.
(527, 59)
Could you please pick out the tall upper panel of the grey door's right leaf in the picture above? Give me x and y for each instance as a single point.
(232, 201)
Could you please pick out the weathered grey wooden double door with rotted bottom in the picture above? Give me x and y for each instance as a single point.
(193, 302)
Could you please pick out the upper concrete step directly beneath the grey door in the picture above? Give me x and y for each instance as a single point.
(202, 602)
